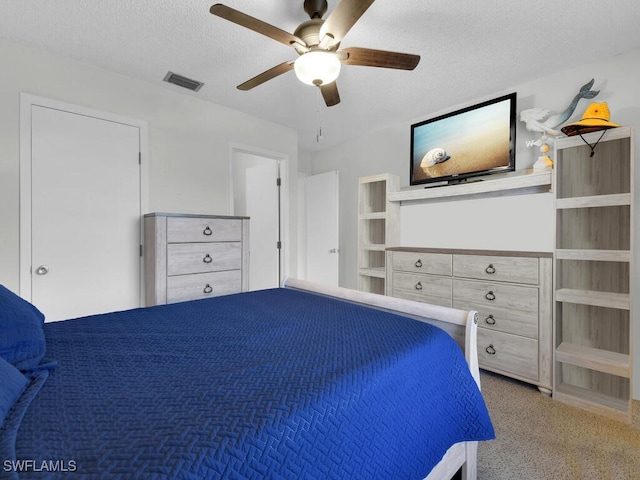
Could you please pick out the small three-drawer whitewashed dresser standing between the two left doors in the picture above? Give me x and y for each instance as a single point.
(190, 257)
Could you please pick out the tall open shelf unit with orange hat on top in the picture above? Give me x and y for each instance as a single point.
(593, 269)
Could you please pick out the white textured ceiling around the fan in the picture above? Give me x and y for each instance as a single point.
(469, 49)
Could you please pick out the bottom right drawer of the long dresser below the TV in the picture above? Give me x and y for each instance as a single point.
(507, 353)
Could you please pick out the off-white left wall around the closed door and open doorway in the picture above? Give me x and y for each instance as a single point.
(189, 139)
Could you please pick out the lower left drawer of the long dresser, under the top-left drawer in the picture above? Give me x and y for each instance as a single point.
(422, 288)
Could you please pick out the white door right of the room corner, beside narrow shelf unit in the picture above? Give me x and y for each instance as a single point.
(322, 231)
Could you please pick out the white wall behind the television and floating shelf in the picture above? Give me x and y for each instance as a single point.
(512, 223)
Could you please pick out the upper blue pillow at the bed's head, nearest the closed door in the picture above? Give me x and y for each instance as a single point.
(22, 340)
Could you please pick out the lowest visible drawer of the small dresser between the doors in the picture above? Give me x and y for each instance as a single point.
(203, 285)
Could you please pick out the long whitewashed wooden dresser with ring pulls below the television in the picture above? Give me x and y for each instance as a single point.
(512, 292)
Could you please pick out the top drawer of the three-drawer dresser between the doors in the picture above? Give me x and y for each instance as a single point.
(186, 229)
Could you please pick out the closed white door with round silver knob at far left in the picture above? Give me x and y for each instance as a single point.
(85, 214)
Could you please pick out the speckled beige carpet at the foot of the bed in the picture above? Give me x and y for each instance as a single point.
(540, 438)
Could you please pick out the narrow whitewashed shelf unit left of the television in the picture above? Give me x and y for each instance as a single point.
(378, 227)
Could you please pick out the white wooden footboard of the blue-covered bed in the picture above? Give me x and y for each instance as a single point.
(460, 324)
